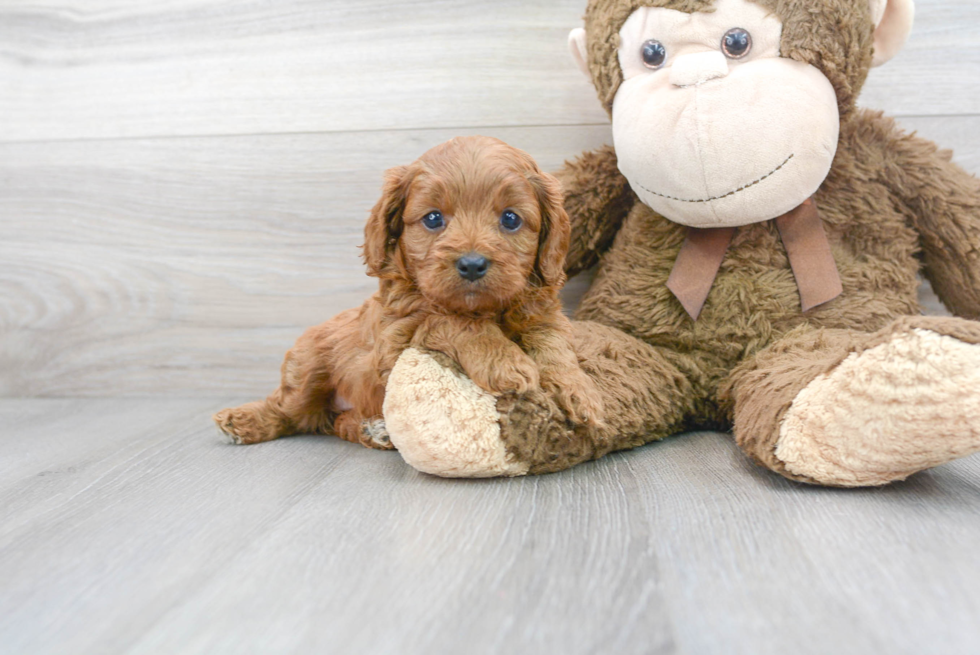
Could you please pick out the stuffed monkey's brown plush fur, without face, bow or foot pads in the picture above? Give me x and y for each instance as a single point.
(892, 205)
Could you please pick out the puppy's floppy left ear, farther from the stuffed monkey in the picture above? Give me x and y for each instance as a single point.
(385, 224)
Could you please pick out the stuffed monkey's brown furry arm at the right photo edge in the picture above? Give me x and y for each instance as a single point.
(944, 201)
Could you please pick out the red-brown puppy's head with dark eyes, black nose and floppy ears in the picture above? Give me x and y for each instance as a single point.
(474, 223)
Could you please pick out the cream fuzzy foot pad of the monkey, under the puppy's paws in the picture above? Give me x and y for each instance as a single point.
(444, 424)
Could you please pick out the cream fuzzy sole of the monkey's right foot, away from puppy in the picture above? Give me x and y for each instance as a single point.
(886, 412)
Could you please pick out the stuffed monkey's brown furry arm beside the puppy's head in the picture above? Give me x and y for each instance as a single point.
(597, 199)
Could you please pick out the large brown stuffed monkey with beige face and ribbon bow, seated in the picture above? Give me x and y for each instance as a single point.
(758, 239)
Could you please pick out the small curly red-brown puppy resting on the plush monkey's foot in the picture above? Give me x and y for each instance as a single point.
(469, 245)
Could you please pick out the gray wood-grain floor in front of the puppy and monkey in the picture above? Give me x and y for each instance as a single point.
(128, 527)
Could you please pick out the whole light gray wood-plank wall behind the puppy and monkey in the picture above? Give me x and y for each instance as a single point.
(183, 184)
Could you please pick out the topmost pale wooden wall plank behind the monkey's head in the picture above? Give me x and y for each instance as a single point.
(109, 69)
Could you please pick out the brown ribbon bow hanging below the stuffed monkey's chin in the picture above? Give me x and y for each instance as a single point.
(806, 246)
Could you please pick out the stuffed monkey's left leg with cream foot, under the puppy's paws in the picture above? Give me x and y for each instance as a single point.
(443, 424)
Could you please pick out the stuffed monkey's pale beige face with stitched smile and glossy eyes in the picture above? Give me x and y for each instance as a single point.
(711, 126)
